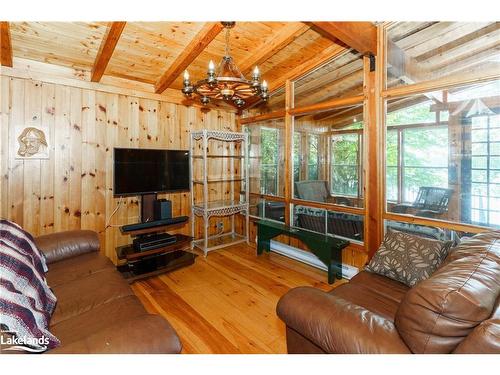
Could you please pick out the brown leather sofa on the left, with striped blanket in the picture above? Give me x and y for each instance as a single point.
(97, 311)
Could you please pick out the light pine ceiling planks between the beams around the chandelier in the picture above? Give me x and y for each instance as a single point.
(146, 50)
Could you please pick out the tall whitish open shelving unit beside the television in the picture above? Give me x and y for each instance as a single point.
(238, 202)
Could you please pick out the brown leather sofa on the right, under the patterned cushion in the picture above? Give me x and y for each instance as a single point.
(456, 310)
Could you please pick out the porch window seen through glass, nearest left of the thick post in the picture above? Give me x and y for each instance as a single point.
(346, 164)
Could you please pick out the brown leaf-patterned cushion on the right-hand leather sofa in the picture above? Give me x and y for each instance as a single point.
(408, 258)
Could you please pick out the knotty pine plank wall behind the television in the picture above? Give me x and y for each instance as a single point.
(73, 189)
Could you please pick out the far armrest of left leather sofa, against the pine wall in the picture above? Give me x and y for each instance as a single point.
(62, 245)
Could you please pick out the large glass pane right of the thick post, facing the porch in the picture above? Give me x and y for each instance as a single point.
(451, 164)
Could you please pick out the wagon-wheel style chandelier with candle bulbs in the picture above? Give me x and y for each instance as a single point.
(227, 83)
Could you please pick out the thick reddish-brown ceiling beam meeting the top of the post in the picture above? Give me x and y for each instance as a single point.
(361, 36)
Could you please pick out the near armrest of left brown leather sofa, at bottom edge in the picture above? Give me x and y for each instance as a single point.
(146, 334)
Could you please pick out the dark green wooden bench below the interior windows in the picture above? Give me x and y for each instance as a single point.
(328, 249)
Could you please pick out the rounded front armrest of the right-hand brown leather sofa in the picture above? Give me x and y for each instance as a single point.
(336, 325)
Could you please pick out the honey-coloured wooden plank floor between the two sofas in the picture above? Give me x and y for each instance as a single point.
(226, 302)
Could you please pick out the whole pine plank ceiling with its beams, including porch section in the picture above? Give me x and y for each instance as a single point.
(317, 55)
